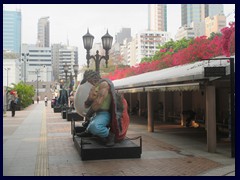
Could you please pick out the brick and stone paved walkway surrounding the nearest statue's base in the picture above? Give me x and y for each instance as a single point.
(38, 142)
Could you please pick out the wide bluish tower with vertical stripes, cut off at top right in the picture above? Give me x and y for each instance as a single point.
(198, 12)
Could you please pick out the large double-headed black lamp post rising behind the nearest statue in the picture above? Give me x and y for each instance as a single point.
(106, 43)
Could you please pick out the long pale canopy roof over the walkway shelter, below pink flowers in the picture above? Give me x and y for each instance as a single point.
(165, 79)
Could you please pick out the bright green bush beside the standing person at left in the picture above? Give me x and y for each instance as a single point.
(25, 93)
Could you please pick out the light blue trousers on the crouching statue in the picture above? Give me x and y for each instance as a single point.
(98, 124)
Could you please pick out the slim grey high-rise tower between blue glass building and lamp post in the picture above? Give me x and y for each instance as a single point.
(43, 32)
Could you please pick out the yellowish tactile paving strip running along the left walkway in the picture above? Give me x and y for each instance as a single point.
(41, 167)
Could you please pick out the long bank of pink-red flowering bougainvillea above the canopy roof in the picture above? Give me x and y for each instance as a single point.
(200, 48)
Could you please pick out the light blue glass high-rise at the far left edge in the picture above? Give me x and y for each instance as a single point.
(12, 31)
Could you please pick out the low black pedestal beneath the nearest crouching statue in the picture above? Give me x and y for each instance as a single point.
(91, 148)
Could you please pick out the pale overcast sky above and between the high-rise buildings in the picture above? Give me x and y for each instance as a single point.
(70, 21)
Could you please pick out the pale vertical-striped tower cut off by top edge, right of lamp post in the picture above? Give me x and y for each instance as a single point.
(157, 17)
